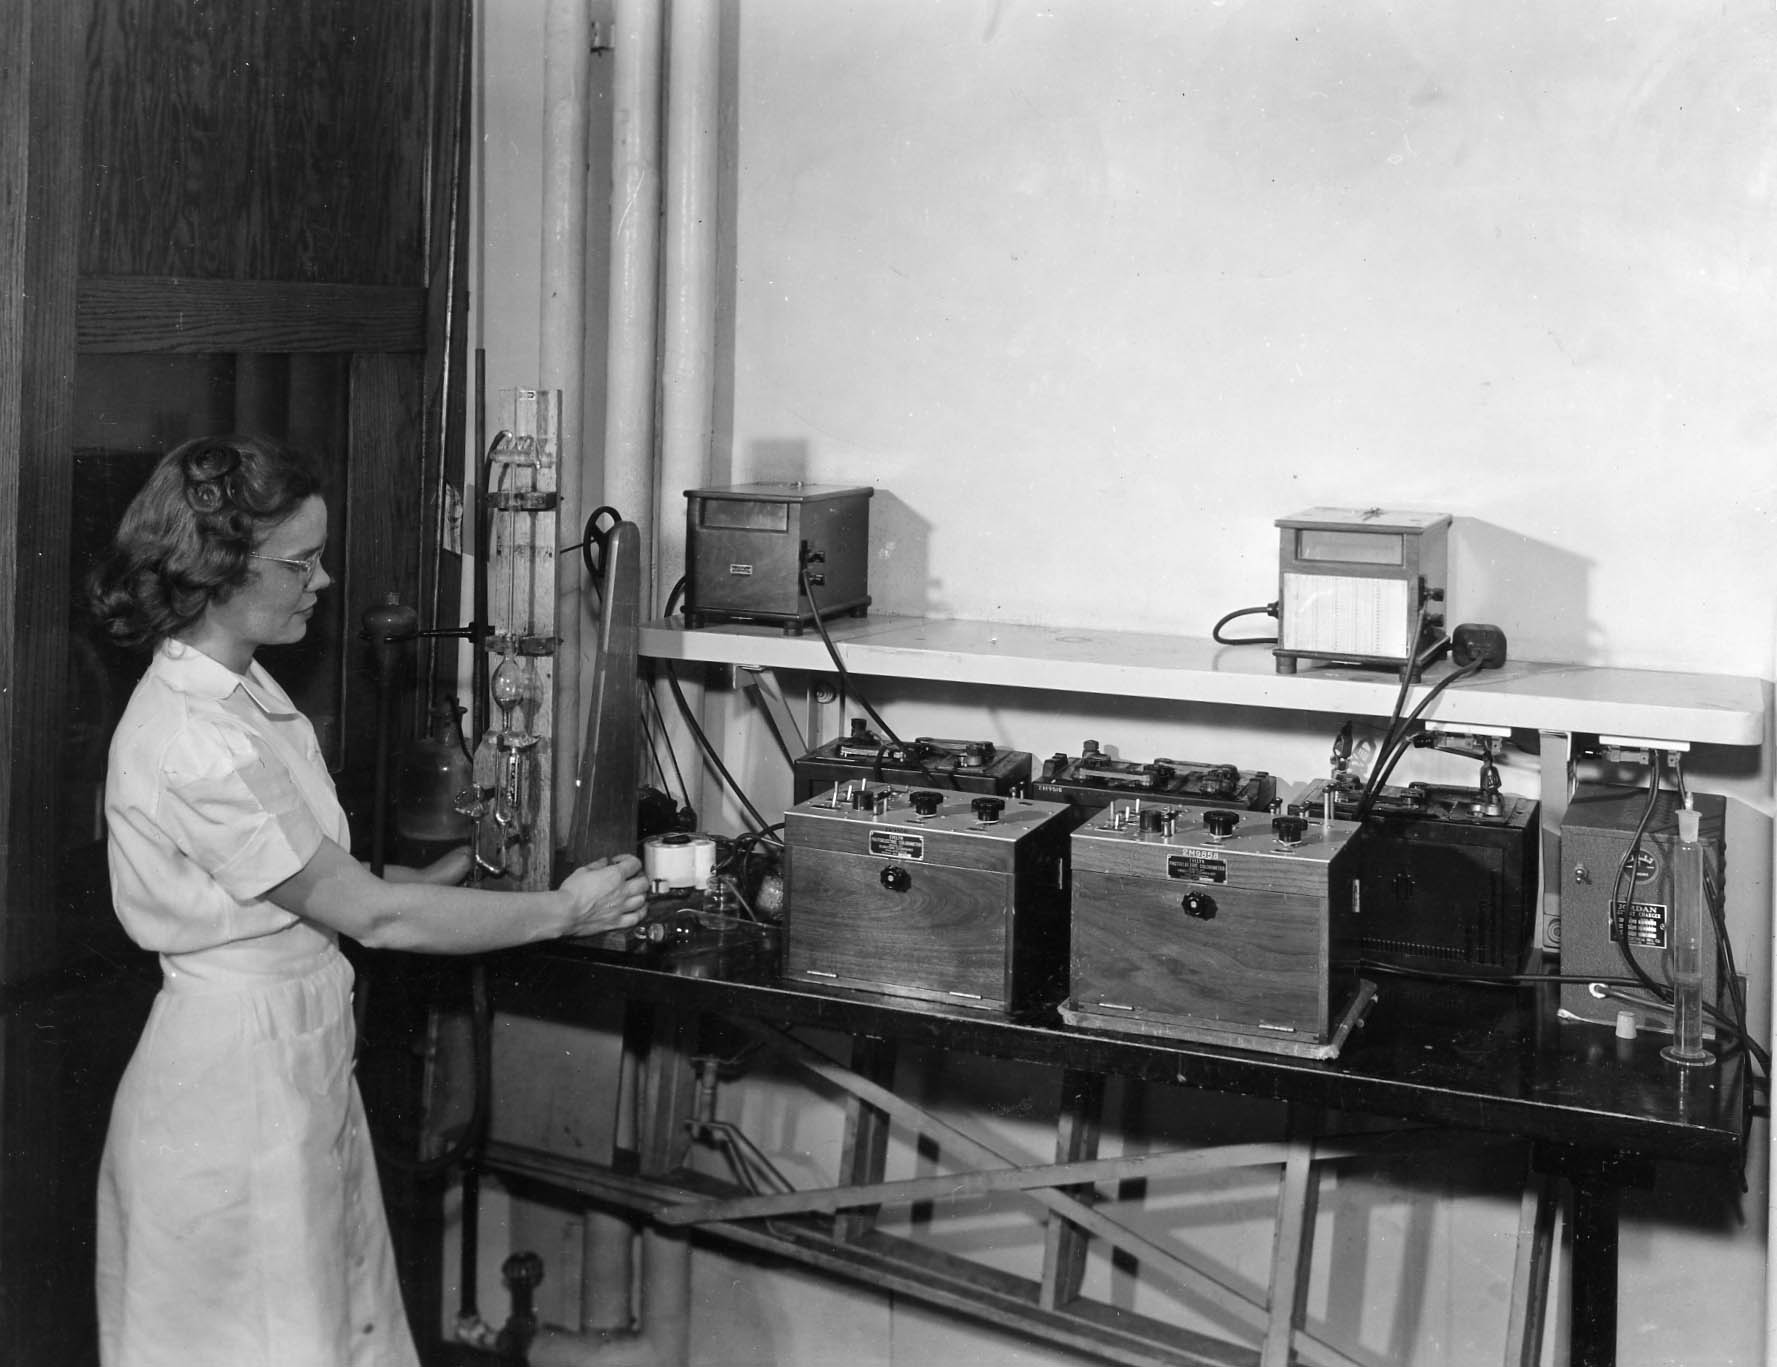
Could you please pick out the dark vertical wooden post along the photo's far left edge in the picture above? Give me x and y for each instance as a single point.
(45, 1128)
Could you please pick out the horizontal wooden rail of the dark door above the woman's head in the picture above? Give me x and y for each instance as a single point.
(159, 314)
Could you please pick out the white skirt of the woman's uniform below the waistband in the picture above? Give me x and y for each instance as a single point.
(239, 1215)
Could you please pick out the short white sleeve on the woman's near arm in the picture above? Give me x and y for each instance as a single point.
(235, 811)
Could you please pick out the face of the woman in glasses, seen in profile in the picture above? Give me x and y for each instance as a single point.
(276, 602)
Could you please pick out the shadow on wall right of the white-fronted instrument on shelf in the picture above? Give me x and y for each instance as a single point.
(1538, 595)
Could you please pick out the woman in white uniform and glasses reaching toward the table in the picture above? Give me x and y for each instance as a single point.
(241, 1220)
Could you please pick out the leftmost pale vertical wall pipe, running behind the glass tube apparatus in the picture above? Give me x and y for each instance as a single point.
(568, 77)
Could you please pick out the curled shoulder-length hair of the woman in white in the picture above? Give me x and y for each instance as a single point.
(186, 538)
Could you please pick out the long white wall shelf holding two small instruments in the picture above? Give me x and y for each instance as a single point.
(1645, 705)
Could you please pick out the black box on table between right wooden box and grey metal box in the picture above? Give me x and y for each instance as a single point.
(1449, 874)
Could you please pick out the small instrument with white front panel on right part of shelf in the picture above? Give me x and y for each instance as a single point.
(1362, 588)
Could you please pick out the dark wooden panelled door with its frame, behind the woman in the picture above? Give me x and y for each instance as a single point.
(212, 216)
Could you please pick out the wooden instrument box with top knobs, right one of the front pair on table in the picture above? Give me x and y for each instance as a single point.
(1220, 927)
